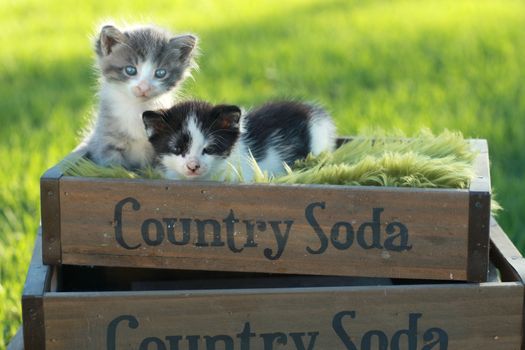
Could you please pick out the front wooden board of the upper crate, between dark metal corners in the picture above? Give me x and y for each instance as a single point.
(436, 220)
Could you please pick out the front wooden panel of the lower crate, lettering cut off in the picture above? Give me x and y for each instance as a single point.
(460, 317)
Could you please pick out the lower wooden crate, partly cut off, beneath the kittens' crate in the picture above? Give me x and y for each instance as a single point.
(416, 315)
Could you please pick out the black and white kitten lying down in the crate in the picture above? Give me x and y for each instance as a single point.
(196, 140)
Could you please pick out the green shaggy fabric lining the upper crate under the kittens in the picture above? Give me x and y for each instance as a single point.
(426, 160)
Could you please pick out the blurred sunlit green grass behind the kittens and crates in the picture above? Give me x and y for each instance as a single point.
(398, 65)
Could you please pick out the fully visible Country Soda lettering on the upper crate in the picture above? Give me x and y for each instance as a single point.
(237, 234)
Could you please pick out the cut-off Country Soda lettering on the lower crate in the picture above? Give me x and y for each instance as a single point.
(409, 338)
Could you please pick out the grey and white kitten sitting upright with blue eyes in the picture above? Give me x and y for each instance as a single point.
(138, 70)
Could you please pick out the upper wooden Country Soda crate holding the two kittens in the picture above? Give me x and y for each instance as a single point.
(290, 229)
